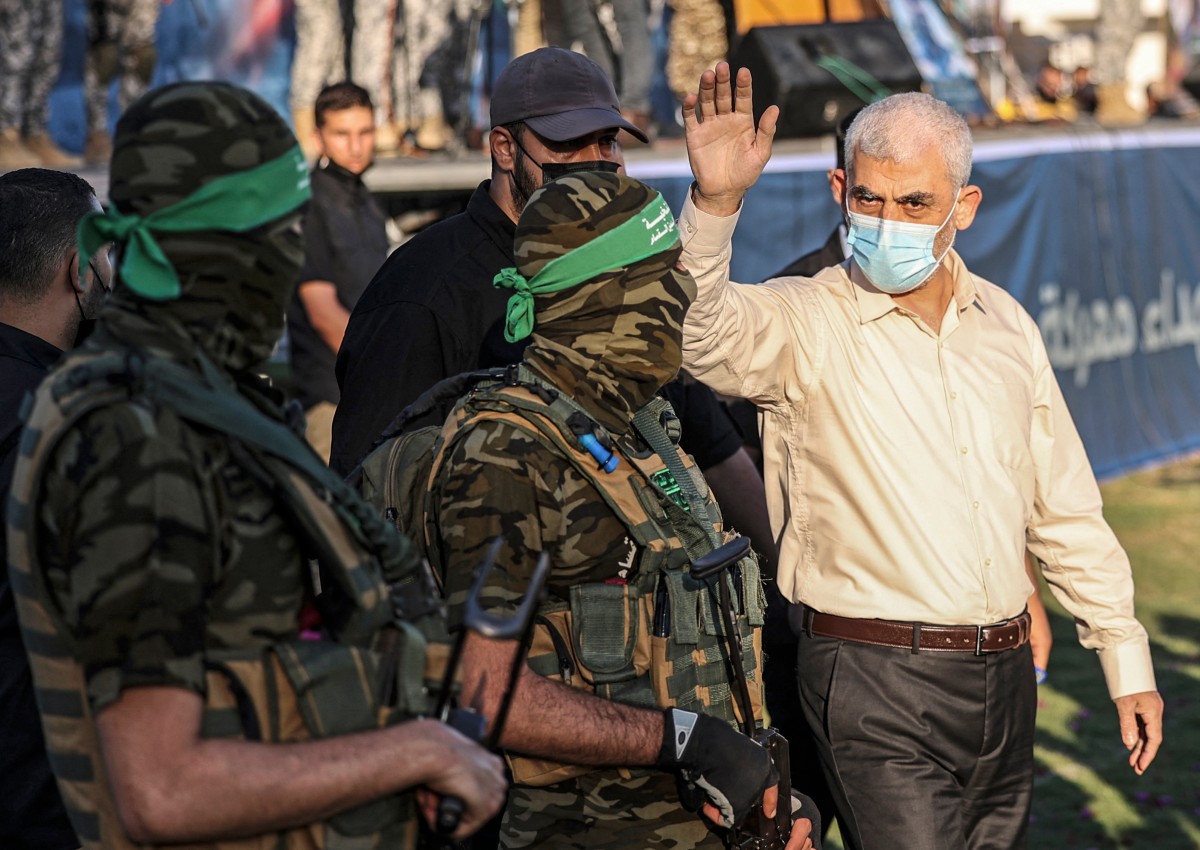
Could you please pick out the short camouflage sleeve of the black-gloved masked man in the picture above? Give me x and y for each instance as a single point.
(500, 482)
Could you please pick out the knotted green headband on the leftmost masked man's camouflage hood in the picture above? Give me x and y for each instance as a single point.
(236, 203)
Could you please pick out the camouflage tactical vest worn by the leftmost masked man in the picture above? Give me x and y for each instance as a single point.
(375, 674)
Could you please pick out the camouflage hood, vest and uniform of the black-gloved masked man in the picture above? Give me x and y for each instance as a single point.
(509, 471)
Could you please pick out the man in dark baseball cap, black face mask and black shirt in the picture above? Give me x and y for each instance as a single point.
(431, 310)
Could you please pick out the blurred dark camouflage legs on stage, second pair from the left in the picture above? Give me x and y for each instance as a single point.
(122, 47)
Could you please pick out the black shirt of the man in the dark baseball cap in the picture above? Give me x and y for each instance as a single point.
(433, 313)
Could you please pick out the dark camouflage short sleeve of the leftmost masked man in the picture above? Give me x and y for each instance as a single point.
(125, 544)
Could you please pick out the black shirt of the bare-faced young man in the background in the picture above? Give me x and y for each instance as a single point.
(346, 241)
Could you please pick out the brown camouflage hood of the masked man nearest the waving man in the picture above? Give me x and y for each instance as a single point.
(616, 339)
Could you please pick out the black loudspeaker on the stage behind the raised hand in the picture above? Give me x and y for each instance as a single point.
(819, 74)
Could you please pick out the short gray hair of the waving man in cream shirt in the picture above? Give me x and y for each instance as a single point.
(901, 128)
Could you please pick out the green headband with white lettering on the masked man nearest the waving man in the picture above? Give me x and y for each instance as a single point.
(651, 232)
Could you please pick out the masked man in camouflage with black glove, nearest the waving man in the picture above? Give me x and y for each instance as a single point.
(599, 762)
